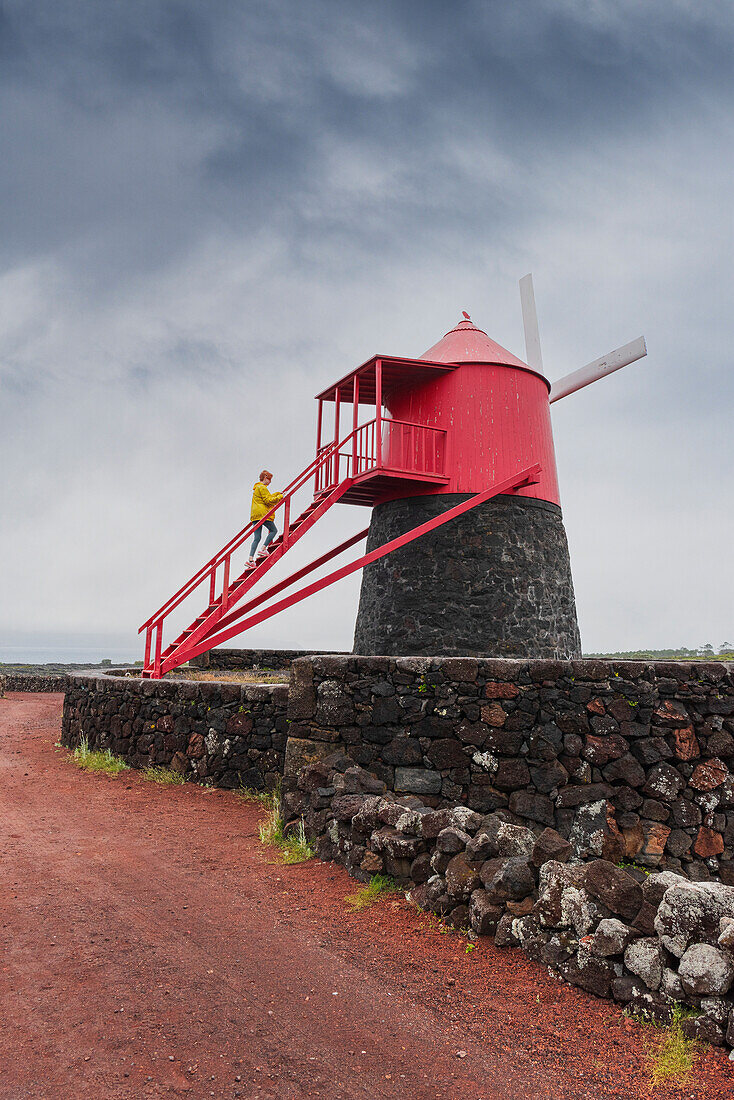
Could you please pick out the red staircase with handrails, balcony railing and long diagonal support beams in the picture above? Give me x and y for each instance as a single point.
(356, 470)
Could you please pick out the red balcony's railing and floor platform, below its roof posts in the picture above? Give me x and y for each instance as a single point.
(385, 457)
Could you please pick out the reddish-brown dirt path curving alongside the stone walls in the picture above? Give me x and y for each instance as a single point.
(149, 949)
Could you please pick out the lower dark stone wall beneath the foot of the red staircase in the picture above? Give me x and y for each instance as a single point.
(232, 735)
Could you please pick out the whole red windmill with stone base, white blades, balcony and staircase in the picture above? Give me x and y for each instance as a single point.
(458, 456)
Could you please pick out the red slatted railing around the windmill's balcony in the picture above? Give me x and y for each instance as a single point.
(402, 448)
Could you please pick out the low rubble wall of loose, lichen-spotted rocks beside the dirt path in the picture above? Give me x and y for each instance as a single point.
(649, 941)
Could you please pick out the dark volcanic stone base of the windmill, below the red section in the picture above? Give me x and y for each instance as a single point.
(496, 582)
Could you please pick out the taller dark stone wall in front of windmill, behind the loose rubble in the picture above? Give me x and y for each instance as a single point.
(633, 760)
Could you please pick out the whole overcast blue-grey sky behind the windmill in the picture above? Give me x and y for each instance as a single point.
(210, 211)
